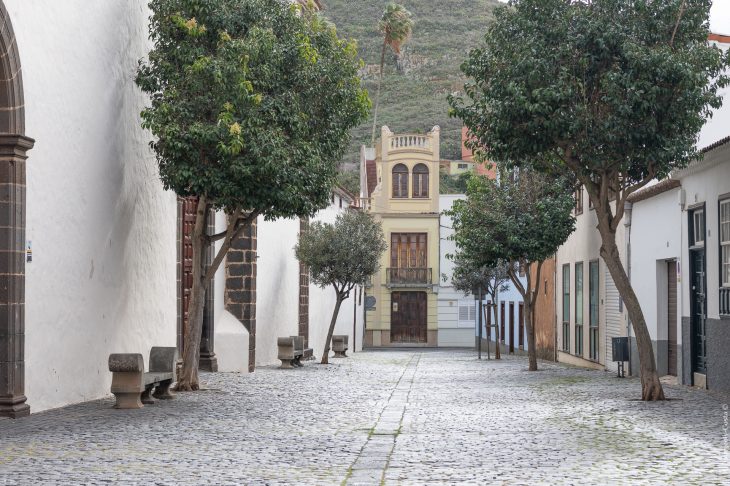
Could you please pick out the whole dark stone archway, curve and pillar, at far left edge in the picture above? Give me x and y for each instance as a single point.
(13, 147)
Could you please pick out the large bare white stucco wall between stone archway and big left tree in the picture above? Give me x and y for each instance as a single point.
(103, 231)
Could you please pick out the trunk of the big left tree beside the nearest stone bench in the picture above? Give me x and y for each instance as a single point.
(188, 379)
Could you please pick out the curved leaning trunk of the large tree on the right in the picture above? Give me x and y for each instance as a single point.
(651, 387)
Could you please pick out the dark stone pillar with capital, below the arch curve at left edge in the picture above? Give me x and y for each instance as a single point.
(13, 150)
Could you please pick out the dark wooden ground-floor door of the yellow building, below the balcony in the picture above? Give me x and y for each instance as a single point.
(408, 317)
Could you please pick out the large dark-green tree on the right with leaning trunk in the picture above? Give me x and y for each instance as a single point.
(611, 93)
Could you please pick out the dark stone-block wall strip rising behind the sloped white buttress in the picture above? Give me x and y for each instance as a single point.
(240, 291)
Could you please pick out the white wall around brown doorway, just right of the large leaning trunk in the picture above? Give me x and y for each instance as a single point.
(655, 238)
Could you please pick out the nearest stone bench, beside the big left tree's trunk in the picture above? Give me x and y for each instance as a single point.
(132, 387)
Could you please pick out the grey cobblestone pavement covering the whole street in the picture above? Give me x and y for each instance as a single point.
(393, 417)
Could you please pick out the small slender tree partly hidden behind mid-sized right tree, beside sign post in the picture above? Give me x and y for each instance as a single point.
(469, 275)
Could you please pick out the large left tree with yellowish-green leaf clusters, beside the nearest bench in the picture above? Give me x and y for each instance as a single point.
(251, 106)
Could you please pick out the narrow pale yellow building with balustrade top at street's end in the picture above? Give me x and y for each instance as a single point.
(400, 188)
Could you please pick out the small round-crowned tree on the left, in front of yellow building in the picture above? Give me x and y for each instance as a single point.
(343, 254)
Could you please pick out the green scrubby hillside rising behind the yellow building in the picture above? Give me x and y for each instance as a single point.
(414, 100)
